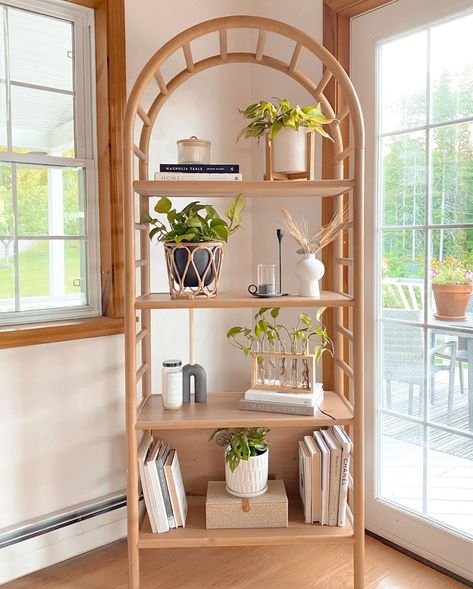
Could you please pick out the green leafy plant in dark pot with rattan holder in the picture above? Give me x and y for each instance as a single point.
(193, 243)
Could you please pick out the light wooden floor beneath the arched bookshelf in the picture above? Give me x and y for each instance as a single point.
(277, 567)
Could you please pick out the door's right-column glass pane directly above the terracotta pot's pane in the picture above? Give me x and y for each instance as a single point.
(452, 173)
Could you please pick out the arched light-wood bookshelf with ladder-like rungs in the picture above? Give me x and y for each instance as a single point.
(346, 402)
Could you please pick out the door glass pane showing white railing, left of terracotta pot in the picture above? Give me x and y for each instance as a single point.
(403, 274)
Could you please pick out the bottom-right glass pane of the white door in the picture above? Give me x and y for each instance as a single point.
(450, 476)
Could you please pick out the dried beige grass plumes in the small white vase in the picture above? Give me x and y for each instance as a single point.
(299, 230)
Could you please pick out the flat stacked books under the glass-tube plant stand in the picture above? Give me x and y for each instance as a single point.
(289, 403)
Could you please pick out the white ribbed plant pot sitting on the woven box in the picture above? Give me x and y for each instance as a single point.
(250, 477)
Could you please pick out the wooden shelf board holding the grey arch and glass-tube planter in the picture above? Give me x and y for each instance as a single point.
(222, 411)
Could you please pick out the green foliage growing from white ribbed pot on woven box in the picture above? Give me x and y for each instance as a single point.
(241, 443)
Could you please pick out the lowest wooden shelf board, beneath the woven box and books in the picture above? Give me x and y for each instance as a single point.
(196, 535)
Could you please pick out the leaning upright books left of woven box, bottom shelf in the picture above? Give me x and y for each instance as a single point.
(161, 481)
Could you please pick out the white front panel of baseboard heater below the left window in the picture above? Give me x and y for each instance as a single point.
(44, 550)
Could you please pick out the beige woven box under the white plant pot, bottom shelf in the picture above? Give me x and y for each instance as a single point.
(223, 510)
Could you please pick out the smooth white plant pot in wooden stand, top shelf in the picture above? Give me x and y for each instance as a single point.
(290, 151)
